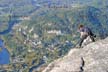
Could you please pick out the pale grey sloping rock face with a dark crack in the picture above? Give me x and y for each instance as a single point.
(91, 58)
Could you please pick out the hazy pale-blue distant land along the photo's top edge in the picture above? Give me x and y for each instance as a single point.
(24, 7)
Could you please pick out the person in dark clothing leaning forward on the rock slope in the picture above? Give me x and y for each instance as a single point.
(84, 33)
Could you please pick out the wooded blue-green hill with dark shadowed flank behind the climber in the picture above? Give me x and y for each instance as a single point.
(68, 20)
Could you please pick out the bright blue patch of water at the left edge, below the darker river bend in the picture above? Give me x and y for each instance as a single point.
(4, 54)
